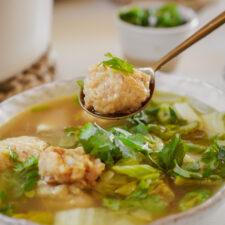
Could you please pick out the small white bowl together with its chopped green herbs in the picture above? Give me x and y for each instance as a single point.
(150, 29)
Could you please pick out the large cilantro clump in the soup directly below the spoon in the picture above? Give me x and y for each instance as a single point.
(110, 146)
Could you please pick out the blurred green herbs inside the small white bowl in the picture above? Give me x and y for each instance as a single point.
(165, 16)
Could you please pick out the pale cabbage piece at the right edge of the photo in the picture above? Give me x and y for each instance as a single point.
(214, 123)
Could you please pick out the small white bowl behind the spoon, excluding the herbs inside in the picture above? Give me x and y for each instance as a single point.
(143, 46)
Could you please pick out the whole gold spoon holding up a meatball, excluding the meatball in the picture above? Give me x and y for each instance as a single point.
(201, 33)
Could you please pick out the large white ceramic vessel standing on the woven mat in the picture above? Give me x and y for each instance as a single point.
(25, 27)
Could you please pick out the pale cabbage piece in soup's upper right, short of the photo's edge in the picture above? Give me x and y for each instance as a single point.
(186, 112)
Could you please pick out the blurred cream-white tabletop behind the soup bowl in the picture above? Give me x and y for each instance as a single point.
(83, 30)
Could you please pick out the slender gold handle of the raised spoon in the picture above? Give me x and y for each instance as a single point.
(204, 31)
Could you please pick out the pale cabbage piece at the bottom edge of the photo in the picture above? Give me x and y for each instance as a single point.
(90, 216)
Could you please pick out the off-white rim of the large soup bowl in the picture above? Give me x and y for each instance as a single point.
(216, 198)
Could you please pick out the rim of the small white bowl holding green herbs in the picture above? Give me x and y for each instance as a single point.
(190, 24)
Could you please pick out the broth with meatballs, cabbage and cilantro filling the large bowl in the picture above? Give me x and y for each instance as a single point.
(61, 166)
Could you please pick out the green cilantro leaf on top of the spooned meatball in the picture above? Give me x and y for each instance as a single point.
(118, 64)
